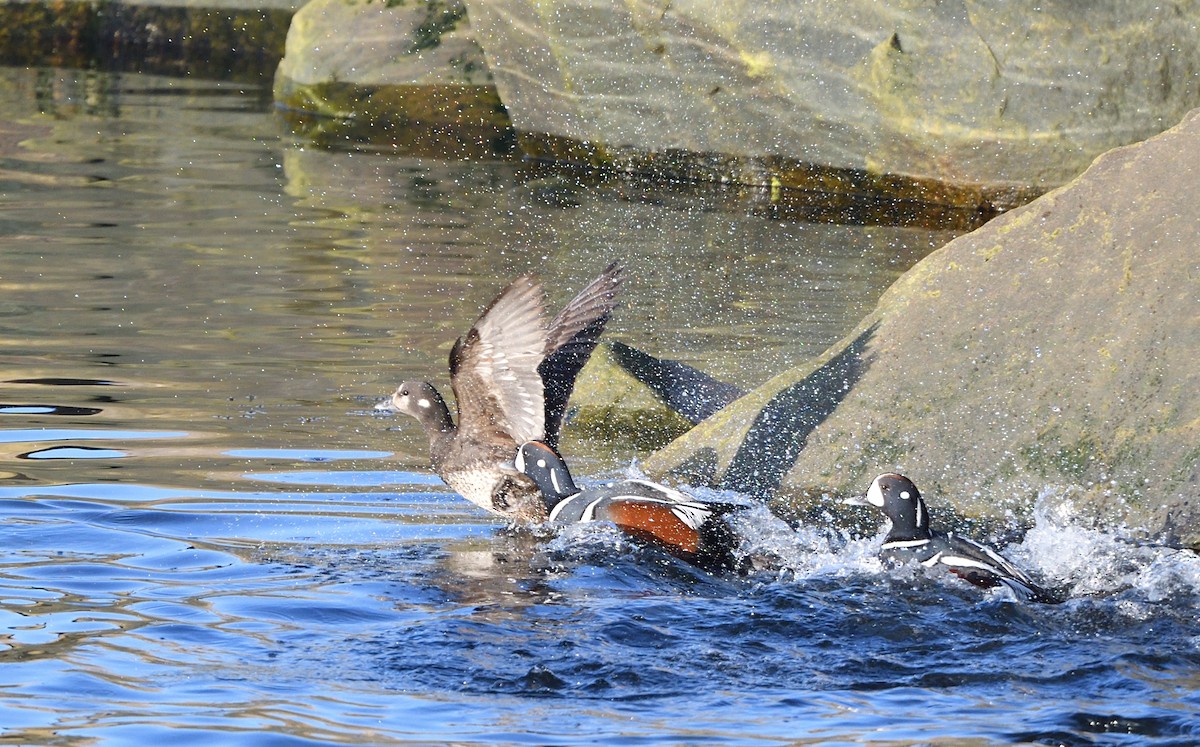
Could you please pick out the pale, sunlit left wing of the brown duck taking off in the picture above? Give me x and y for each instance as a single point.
(494, 368)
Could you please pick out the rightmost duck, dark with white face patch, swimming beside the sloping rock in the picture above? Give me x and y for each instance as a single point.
(911, 539)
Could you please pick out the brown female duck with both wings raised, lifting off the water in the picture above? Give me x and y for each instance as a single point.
(512, 378)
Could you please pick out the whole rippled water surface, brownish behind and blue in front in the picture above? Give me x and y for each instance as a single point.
(208, 536)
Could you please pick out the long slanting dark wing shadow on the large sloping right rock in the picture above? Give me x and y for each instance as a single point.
(782, 428)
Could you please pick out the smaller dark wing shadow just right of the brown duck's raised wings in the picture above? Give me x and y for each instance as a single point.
(691, 392)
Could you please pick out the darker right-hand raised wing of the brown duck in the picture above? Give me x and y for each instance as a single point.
(573, 336)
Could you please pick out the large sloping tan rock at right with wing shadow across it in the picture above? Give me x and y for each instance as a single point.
(1054, 349)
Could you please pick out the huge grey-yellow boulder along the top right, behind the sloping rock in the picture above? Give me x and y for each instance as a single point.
(1000, 99)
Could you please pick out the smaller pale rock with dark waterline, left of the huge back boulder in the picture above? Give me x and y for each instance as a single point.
(405, 76)
